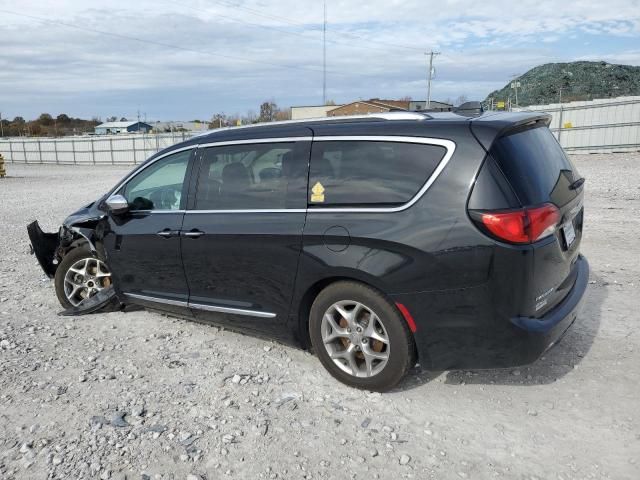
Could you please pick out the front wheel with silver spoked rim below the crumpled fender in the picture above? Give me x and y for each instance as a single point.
(79, 276)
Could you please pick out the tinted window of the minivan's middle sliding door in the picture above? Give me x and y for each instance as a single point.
(257, 176)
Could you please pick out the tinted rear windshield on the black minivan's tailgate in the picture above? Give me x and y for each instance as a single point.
(536, 166)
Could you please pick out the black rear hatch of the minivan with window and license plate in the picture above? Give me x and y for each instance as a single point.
(541, 174)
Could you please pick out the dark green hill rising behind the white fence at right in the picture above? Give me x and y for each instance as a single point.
(578, 81)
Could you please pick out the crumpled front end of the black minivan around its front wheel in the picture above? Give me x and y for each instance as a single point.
(83, 230)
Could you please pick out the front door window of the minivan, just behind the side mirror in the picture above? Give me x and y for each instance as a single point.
(159, 186)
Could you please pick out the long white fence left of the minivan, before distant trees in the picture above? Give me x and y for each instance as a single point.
(97, 150)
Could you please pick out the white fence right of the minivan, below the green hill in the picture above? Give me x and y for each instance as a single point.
(596, 126)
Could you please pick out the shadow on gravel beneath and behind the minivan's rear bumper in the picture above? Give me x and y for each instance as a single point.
(553, 365)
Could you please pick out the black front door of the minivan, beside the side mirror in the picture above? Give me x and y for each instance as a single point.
(143, 245)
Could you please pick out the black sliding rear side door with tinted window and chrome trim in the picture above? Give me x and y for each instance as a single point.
(242, 234)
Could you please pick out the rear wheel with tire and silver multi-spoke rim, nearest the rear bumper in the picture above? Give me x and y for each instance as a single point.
(329, 338)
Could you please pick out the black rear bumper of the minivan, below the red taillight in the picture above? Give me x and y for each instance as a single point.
(461, 330)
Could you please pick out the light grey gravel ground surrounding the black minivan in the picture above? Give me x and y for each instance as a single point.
(140, 395)
